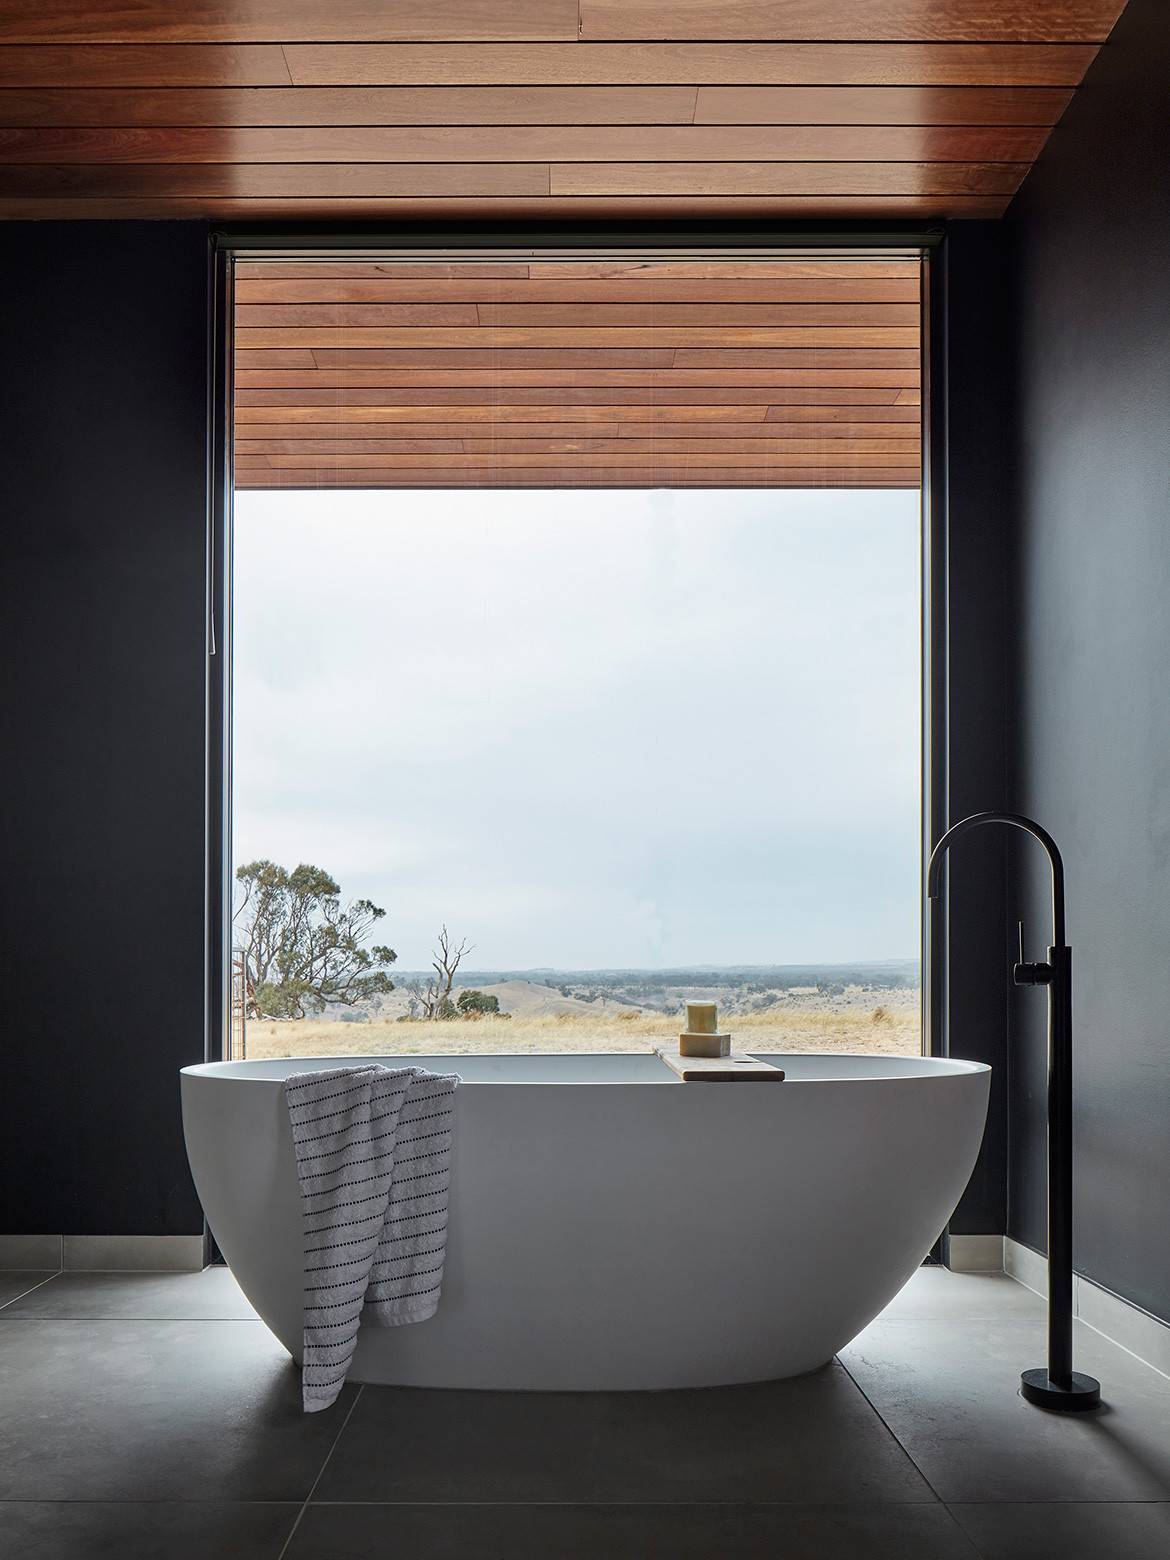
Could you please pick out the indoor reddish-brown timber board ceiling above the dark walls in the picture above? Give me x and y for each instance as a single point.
(533, 108)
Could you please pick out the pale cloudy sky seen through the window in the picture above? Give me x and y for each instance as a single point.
(589, 731)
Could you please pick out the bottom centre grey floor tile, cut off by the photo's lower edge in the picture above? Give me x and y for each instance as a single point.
(629, 1533)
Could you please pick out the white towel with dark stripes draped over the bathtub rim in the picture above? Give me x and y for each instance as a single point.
(374, 1152)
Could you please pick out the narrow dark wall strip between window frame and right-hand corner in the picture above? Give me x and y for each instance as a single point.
(974, 486)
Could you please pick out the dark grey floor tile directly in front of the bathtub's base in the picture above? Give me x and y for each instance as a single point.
(812, 1439)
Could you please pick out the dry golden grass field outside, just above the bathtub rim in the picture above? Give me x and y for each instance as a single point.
(887, 1032)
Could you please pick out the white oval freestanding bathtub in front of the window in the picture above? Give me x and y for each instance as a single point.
(614, 1228)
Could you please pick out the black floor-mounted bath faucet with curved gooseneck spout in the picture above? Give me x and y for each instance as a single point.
(1060, 1386)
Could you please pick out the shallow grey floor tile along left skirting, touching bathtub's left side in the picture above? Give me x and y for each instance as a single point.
(138, 1297)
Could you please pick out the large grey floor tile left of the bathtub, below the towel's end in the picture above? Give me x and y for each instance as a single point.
(155, 1411)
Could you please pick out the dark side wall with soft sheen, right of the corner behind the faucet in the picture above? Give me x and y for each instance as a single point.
(1091, 748)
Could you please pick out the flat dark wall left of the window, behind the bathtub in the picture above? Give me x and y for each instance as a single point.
(102, 838)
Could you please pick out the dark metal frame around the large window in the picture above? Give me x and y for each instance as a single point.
(478, 243)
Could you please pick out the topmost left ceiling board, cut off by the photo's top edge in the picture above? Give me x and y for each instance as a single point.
(286, 21)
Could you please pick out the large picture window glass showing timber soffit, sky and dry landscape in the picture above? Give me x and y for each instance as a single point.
(576, 667)
